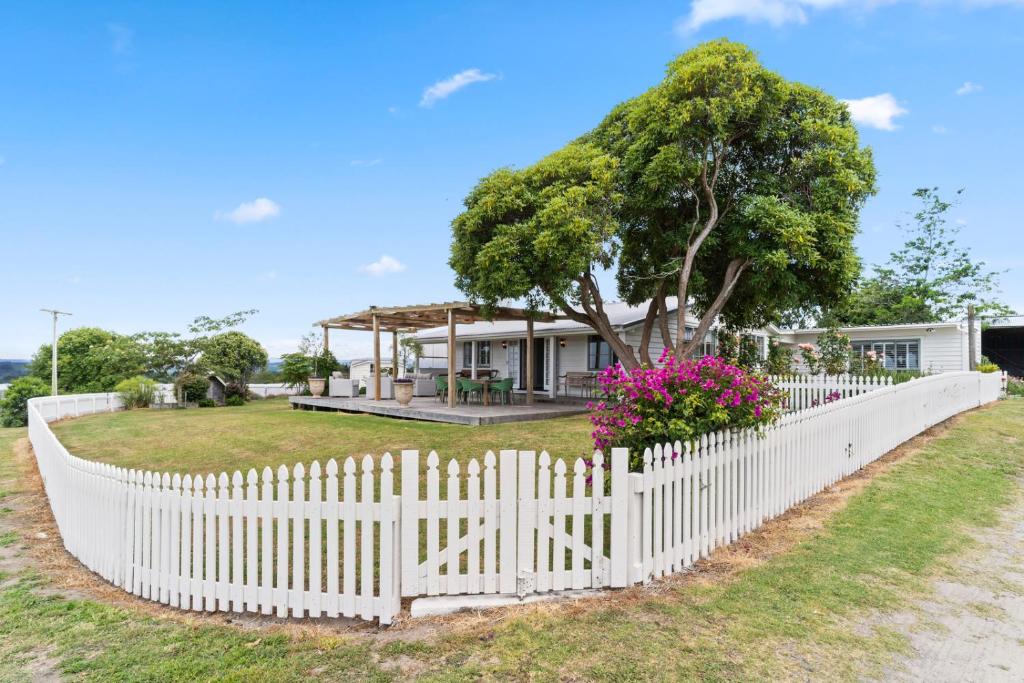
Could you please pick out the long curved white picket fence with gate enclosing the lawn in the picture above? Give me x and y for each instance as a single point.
(342, 541)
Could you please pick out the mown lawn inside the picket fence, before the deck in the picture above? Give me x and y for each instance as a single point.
(269, 433)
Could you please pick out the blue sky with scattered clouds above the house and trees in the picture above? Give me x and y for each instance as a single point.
(162, 162)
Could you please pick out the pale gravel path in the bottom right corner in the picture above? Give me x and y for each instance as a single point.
(972, 629)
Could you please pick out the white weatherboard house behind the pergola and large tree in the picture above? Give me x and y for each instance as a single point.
(566, 351)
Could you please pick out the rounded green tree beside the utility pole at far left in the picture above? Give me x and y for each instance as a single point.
(92, 360)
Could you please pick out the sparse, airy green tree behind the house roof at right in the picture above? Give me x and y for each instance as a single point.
(930, 279)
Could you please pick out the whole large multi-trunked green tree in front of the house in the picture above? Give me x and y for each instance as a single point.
(726, 186)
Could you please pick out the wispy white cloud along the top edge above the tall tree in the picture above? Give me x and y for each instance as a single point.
(779, 13)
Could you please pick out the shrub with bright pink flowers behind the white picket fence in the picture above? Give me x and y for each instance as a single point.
(680, 401)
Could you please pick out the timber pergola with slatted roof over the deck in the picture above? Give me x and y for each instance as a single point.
(413, 319)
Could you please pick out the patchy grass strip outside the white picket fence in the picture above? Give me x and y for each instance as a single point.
(787, 619)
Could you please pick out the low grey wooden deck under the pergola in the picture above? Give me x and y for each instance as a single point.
(433, 411)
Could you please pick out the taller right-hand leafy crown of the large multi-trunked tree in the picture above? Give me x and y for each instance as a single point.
(753, 182)
